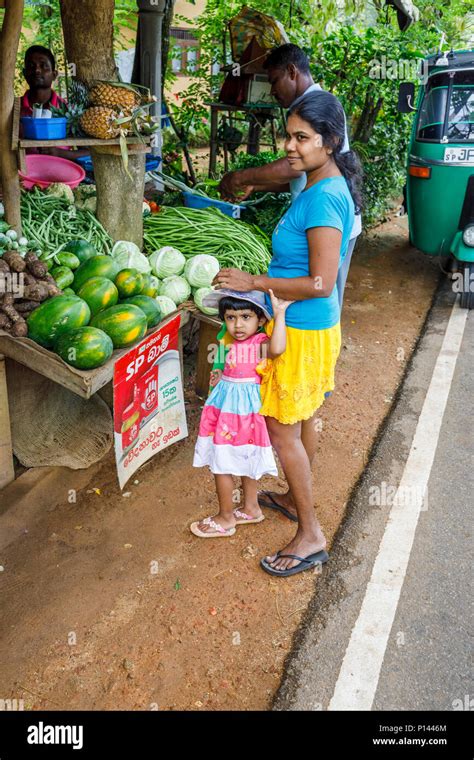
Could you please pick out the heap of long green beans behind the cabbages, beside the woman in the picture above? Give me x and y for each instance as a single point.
(192, 231)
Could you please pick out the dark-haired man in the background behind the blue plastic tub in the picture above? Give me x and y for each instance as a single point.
(40, 72)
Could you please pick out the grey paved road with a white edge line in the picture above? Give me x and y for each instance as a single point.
(390, 626)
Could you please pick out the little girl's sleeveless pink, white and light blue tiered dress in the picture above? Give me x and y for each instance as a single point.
(233, 437)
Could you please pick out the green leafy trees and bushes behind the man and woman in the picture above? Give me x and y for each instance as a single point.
(347, 47)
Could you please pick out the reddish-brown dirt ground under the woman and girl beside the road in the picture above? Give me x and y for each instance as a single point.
(110, 603)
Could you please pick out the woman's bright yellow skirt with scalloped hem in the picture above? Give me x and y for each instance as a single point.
(294, 384)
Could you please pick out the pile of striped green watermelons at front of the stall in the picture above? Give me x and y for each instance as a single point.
(103, 308)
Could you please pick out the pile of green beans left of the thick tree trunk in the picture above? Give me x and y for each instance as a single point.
(49, 222)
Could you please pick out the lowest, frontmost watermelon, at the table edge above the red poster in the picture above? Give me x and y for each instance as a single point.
(84, 347)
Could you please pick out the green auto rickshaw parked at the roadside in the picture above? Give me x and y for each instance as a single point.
(440, 167)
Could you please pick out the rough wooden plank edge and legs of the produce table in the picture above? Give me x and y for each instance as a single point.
(50, 365)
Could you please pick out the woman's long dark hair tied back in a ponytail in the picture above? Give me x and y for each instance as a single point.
(323, 111)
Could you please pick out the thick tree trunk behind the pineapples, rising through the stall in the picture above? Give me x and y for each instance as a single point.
(88, 39)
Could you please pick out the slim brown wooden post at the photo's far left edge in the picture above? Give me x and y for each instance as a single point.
(9, 39)
